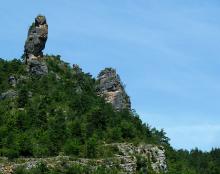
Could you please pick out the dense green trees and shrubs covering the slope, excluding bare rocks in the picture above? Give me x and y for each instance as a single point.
(60, 113)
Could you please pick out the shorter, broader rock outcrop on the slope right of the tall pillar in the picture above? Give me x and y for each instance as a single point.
(111, 87)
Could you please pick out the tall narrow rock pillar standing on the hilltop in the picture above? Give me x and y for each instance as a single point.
(34, 45)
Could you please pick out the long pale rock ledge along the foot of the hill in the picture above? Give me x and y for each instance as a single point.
(126, 159)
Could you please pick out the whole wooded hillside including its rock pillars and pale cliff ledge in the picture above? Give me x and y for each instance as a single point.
(54, 118)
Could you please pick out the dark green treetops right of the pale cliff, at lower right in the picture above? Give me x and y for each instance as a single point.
(193, 162)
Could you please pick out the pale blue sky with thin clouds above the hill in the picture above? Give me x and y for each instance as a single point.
(166, 52)
